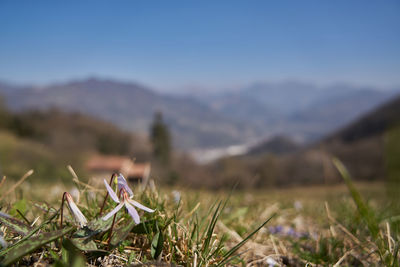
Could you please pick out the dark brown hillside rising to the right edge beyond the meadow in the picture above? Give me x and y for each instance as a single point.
(365, 146)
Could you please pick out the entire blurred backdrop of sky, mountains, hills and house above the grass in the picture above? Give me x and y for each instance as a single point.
(200, 94)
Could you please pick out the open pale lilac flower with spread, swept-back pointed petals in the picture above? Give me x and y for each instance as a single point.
(126, 200)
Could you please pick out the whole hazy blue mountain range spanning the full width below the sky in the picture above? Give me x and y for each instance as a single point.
(298, 110)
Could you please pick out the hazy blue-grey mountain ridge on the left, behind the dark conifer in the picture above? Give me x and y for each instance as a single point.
(131, 106)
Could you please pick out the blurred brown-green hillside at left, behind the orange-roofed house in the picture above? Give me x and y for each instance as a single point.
(47, 141)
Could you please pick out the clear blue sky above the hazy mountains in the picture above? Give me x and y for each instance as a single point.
(171, 45)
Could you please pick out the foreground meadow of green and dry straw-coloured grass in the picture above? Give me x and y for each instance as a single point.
(316, 225)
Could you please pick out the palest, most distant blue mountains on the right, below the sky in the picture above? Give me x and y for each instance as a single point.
(299, 110)
